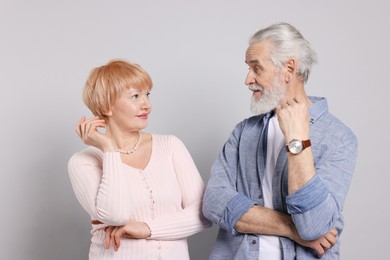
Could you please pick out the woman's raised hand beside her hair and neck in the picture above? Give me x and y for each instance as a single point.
(87, 129)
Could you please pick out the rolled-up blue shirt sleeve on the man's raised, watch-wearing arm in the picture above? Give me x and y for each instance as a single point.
(316, 207)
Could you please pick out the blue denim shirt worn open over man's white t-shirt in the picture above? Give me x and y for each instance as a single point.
(235, 186)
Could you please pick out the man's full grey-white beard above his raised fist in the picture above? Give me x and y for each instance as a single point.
(269, 98)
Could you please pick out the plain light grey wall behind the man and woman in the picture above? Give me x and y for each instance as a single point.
(194, 51)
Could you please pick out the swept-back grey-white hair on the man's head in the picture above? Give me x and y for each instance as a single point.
(287, 42)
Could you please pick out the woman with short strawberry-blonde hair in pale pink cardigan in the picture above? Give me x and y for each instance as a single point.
(142, 191)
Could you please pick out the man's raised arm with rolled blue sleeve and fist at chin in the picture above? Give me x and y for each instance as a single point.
(317, 193)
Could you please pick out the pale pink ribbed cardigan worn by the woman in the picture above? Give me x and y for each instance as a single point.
(166, 195)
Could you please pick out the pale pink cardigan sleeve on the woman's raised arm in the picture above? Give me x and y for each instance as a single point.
(97, 181)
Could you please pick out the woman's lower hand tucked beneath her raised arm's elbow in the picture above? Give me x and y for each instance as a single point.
(132, 230)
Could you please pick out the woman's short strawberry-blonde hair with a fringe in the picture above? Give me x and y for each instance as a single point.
(106, 83)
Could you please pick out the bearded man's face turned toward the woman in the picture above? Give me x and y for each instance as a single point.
(263, 78)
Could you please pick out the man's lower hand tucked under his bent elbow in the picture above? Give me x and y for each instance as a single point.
(322, 244)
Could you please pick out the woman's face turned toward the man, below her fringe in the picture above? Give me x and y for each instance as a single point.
(131, 110)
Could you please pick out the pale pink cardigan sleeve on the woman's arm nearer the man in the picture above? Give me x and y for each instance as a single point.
(189, 220)
